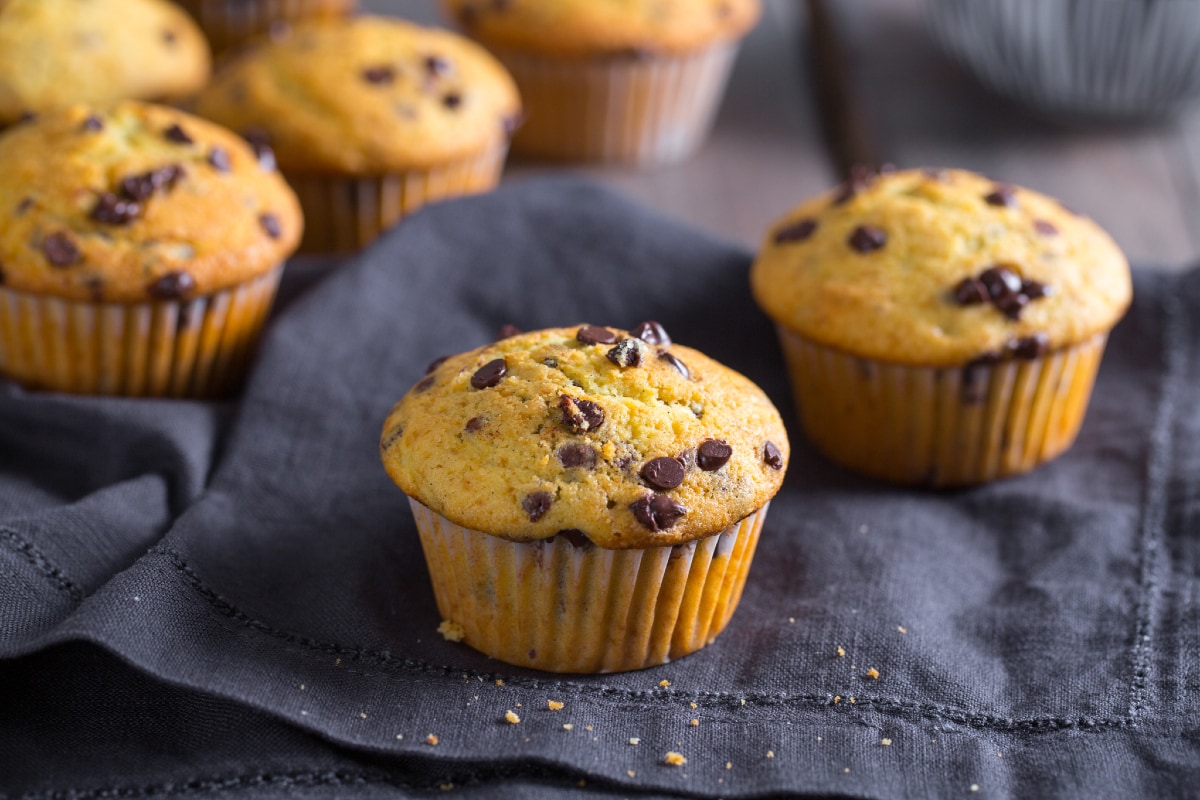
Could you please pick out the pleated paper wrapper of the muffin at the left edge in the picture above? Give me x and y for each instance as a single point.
(189, 348)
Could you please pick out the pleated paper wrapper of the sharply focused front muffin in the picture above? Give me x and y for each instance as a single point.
(559, 607)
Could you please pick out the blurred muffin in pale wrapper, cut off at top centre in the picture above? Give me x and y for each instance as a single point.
(614, 81)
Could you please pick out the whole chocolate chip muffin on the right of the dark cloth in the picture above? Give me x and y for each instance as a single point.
(940, 328)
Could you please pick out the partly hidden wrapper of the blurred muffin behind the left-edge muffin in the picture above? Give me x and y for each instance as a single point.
(346, 214)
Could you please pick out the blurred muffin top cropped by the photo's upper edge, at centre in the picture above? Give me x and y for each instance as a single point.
(589, 28)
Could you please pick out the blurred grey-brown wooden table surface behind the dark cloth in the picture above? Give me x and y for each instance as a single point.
(769, 152)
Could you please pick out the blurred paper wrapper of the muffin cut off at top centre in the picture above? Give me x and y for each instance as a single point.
(643, 111)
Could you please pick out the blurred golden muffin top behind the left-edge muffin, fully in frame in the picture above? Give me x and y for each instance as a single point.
(367, 97)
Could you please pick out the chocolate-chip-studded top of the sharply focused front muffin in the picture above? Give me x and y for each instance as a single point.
(622, 438)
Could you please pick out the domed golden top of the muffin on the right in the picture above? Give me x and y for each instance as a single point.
(939, 268)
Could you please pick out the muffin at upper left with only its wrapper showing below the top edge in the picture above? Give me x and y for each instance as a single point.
(231, 25)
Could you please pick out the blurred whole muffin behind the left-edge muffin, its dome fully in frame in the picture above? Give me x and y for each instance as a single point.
(370, 119)
